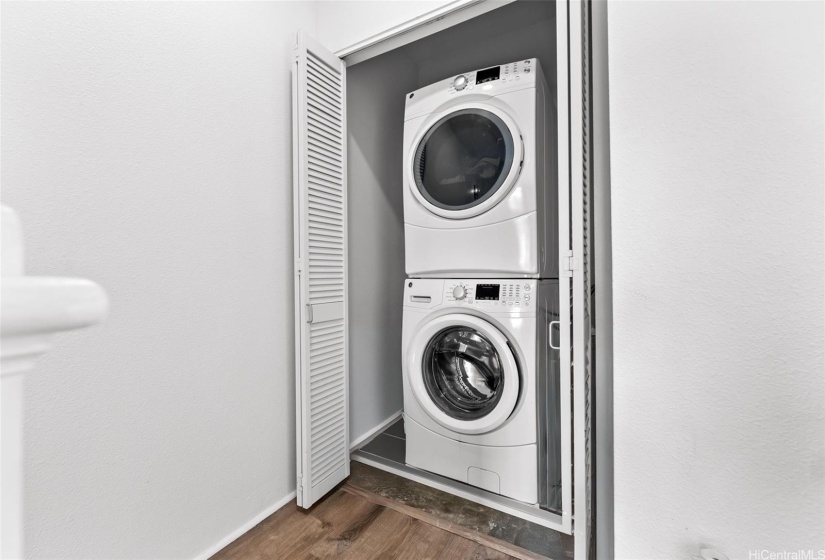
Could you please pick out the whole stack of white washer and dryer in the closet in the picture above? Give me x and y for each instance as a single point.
(481, 376)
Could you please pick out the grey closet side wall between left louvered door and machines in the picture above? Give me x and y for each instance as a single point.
(376, 92)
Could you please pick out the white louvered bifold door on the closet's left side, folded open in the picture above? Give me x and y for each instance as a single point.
(320, 201)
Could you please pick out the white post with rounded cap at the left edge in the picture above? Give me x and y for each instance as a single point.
(32, 310)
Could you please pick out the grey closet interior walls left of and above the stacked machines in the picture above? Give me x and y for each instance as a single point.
(376, 90)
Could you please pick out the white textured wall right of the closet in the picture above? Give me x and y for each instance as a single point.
(717, 141)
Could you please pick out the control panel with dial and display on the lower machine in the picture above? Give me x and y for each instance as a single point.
(491, 294)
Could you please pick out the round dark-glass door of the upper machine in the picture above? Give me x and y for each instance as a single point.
(467, 161)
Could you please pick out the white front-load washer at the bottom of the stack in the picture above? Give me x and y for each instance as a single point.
(481, 384)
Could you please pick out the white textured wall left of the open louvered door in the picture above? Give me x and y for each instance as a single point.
(147, 146)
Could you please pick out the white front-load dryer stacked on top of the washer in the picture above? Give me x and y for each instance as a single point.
(480, 175)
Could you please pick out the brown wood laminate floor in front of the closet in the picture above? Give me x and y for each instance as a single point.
(348, 526)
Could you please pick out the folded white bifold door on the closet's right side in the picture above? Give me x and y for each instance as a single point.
(579, 271)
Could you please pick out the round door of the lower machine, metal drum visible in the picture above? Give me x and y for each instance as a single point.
(464, 374)
